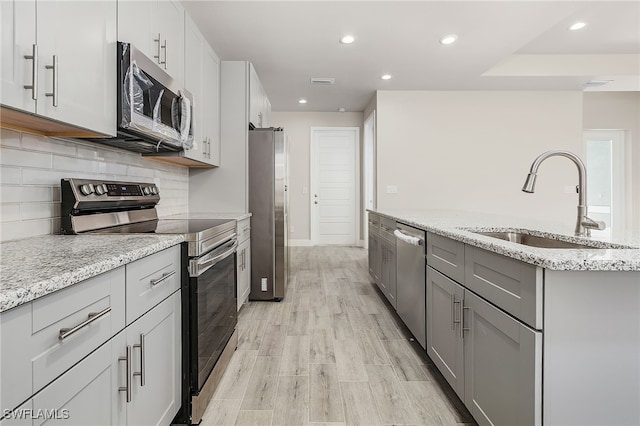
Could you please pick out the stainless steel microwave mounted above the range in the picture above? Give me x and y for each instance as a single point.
(154, 113)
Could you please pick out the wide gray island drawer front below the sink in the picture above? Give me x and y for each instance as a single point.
(511, 285)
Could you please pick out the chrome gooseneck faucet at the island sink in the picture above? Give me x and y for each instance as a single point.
(584, 224)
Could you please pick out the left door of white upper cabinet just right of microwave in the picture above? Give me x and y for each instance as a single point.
(193, 82)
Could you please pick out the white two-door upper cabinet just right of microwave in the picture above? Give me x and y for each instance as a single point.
(202, 80)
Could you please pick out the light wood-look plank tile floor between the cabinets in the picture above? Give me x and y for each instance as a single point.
(333, 351)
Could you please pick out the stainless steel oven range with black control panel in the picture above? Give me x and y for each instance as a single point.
(209, 308)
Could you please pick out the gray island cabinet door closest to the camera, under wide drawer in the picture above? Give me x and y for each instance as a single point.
(503, 366)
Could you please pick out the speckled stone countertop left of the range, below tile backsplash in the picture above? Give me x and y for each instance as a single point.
(34, 267)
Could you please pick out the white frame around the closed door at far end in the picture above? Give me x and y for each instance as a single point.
(313, 225)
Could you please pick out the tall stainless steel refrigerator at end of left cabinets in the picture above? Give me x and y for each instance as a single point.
(268, 203)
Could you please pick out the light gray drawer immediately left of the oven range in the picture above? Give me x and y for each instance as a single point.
(150, 280)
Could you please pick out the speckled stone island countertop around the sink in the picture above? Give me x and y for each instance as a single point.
(455, 224)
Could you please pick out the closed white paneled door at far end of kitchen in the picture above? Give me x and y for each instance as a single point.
(334, 185)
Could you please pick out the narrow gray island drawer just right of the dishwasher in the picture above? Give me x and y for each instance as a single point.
(446, 255)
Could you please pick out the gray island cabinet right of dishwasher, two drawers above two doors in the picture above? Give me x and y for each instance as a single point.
(491, 359)
